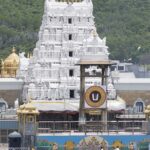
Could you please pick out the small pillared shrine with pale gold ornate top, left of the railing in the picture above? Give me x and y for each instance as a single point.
(27, 116)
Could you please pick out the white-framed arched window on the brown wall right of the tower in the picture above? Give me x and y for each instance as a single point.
(139, 105)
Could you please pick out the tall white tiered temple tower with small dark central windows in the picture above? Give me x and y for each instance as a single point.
(67, 33)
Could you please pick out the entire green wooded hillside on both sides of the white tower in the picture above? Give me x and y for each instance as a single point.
(125, 23)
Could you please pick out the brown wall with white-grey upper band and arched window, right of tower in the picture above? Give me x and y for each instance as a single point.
(136, 92)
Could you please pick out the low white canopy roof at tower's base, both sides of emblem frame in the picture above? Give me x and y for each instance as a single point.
(69, 106)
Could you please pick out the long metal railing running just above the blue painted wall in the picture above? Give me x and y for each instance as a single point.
(93, 126)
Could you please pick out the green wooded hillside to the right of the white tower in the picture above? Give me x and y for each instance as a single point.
(126, 25)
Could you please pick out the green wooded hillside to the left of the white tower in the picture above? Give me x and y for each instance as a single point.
(19, 24)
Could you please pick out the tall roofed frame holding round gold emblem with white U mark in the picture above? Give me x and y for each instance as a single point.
(93, 100)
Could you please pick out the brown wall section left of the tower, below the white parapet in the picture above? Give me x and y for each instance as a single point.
(10, 96)
